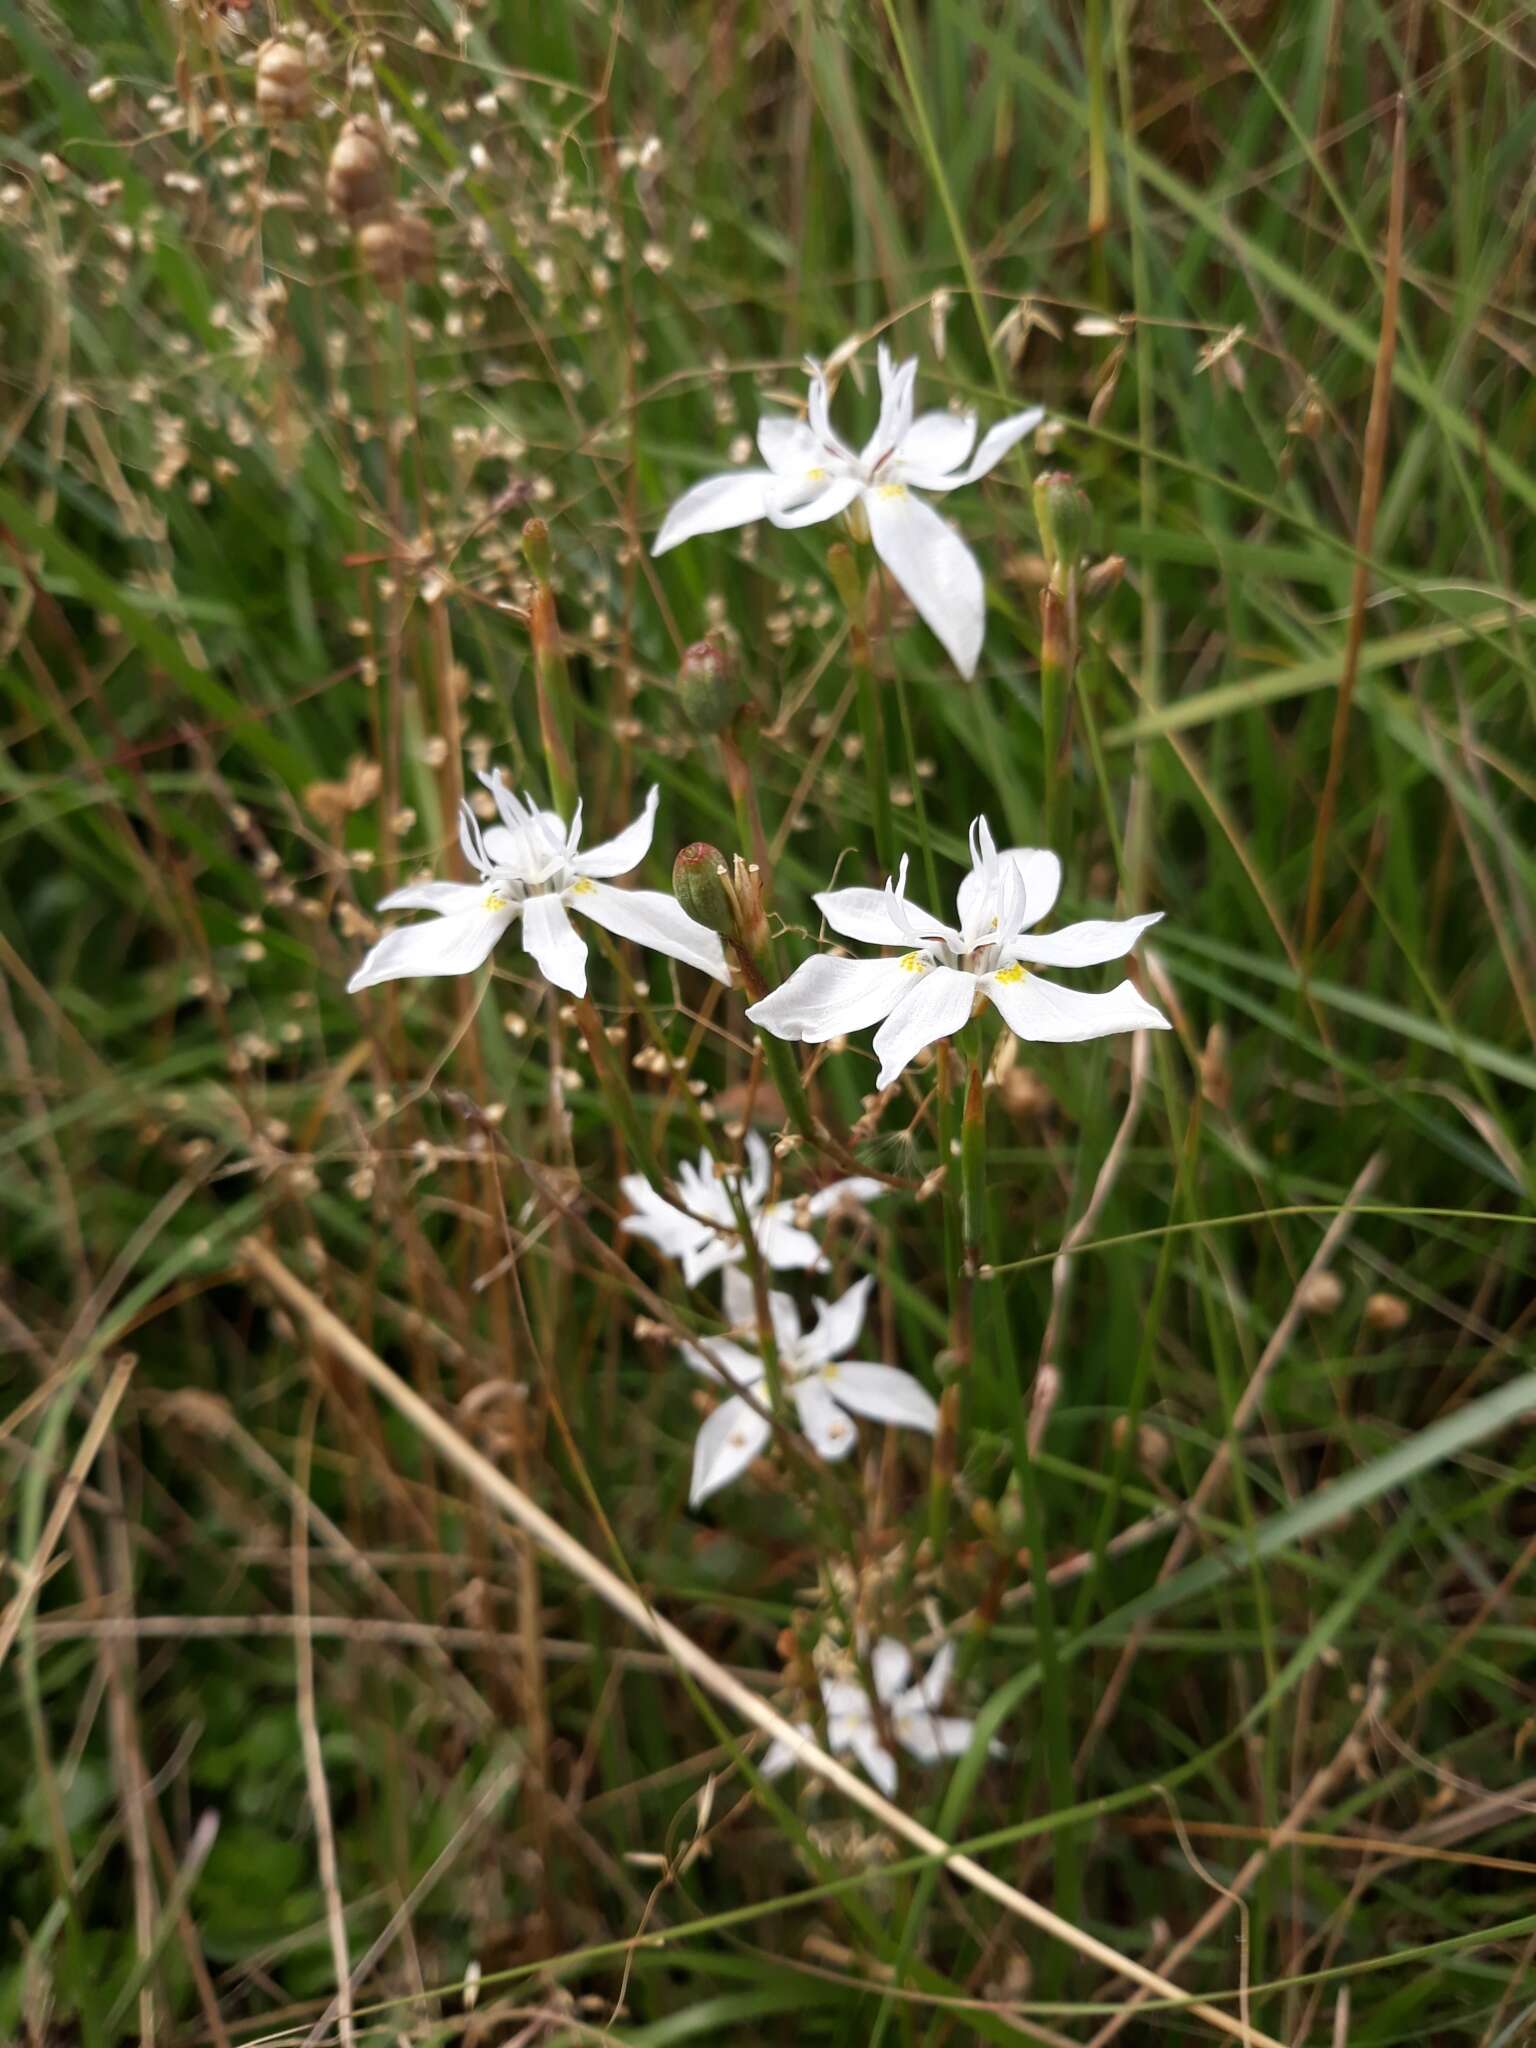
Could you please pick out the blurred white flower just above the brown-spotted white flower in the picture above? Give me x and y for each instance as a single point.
(706, 1232)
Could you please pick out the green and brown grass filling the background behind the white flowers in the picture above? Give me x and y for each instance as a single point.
(261, 523)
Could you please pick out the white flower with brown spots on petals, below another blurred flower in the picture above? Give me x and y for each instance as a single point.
(824, 1385)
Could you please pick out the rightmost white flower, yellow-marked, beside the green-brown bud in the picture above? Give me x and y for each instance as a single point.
(943, 974)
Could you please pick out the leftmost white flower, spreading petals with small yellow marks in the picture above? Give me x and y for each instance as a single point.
(531, 867)
